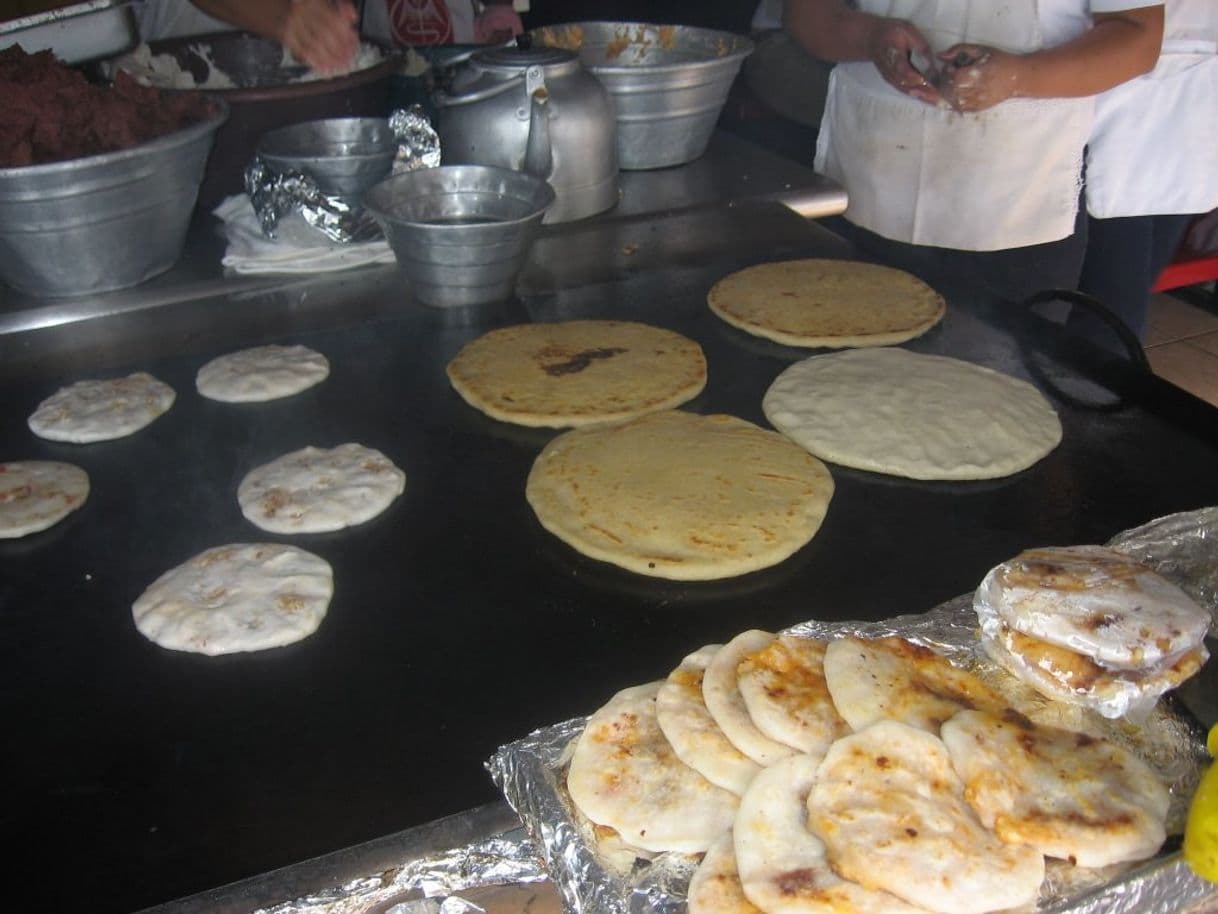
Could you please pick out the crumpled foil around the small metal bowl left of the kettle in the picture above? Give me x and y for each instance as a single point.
(275, 196)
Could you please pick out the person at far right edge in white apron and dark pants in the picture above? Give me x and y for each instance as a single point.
(1152, 166)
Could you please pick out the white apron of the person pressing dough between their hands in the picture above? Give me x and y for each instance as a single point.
(1008, 177)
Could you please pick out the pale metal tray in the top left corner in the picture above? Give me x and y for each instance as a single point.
(76, 34)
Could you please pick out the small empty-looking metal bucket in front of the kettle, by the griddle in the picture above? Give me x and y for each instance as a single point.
(461, 233)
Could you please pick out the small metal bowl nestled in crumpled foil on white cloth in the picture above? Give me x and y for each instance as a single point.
(344, 155)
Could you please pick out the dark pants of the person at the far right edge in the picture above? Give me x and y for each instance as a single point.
(1125, 257)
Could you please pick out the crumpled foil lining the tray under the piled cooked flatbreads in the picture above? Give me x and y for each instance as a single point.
(594, 878)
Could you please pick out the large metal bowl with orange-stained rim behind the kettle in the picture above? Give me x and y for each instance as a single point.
(669, 83)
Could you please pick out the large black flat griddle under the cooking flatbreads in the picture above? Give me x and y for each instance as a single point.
(142, 776)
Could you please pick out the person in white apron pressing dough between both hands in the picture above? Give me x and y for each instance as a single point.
(958, 127)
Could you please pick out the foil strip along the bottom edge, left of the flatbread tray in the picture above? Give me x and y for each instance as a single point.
(431, 885)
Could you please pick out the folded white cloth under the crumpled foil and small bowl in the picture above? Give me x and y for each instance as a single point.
(298, 248)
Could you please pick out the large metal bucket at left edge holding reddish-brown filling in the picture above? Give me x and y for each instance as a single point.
(102, 222)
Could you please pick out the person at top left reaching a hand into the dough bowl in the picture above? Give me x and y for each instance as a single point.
(322, 34)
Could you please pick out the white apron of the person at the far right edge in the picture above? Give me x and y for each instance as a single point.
(1154, 149)
